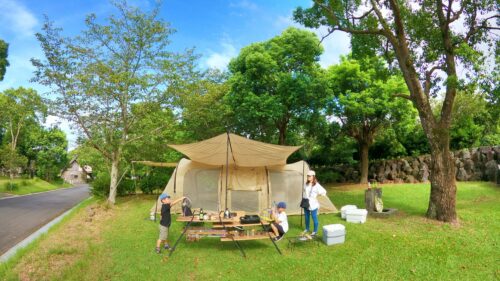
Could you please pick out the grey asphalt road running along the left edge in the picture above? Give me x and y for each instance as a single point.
(23, 215)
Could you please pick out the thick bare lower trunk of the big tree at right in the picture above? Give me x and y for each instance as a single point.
(443, 186)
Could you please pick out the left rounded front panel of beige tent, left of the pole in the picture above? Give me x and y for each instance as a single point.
(201, 186)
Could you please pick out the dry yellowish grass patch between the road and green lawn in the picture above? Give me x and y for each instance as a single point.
(66, 245)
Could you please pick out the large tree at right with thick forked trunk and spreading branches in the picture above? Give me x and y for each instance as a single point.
(428, 39)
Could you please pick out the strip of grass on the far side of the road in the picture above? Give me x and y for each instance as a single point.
(27, 186)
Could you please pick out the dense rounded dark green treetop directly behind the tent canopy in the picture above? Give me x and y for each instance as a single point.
(275, 84)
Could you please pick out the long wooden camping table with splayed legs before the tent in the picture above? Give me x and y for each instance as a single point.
(221, 228)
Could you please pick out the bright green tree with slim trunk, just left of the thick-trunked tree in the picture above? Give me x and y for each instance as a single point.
(364, 102)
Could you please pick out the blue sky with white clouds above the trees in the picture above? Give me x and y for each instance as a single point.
(217, 30)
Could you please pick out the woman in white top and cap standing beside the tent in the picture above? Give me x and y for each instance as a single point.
(311, 191)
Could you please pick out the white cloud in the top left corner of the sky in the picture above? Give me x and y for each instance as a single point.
(17, 18)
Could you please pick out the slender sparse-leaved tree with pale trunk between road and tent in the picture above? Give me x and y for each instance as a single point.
(96, 78)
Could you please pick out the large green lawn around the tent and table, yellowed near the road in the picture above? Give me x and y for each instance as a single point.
(118, 244)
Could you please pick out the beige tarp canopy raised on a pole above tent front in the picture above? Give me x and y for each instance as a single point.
(241, 151)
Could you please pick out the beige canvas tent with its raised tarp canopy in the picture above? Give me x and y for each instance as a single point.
(240, 174)
